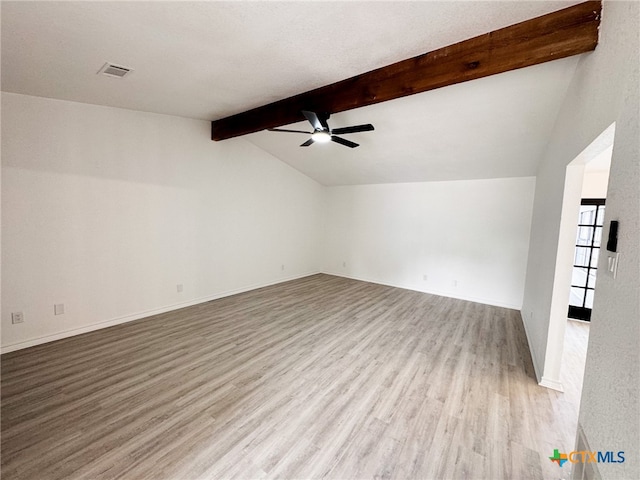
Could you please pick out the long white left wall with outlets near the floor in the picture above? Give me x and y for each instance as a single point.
(106, 210)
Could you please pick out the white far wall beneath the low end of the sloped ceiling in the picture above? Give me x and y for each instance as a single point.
(475, 233)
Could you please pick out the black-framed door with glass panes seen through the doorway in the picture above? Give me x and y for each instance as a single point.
(588, 241)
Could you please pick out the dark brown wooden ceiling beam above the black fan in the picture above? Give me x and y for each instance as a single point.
(560, 34)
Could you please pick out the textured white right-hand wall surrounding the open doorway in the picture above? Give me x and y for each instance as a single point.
(604, 90)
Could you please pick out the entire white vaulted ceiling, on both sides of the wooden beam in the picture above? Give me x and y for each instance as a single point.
(207, 60)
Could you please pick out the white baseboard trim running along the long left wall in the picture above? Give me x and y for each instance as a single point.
(137, 316)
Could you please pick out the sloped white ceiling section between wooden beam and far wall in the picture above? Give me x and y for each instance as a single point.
(488, 128)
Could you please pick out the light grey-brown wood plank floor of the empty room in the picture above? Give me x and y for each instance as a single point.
(322, 377)
